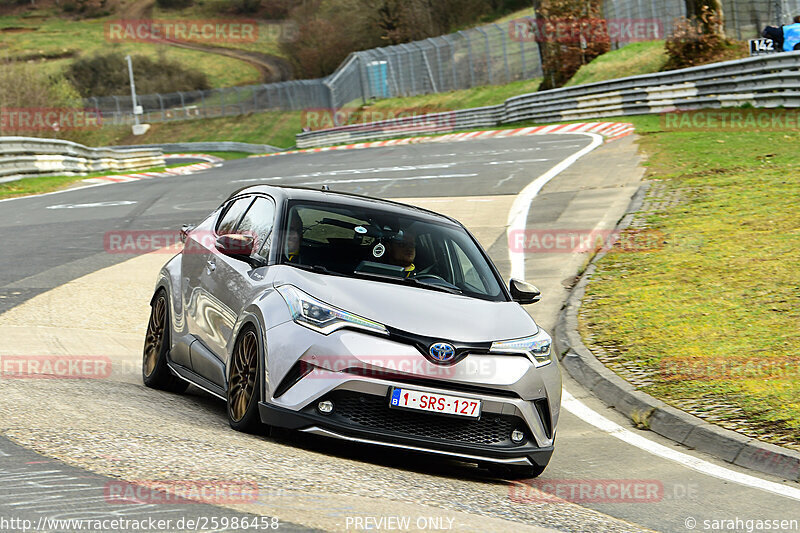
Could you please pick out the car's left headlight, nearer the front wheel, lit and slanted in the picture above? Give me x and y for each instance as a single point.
(324, 318)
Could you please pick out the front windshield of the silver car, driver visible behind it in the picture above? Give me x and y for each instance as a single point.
(385, 246)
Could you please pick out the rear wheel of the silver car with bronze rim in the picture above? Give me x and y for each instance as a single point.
(155, 373)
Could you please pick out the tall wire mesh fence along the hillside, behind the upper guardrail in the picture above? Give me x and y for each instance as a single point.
(487, 55)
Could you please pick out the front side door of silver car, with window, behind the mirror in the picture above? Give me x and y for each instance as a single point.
(228, 287)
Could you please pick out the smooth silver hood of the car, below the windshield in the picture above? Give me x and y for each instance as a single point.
(415, 310)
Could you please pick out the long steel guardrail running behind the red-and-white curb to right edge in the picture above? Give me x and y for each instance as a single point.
(767, 81)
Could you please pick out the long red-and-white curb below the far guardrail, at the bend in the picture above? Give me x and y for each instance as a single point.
(610, 130)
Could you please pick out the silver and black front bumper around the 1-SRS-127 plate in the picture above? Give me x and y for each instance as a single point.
(514, 395)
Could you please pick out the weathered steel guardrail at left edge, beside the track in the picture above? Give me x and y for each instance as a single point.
(25, 157)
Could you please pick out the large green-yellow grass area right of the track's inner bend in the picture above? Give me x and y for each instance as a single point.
(723, 291)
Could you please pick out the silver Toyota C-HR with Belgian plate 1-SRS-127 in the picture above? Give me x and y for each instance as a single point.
(358, 319)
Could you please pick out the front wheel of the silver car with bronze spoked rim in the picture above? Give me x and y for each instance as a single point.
(244, 384)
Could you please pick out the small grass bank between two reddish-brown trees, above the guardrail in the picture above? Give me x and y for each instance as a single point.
(630, 60)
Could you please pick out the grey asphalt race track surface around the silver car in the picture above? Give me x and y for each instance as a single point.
(91, 432)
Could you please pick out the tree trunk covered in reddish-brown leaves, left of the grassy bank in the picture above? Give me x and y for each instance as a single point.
(571, 33)
